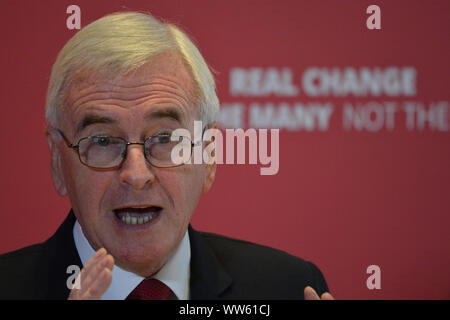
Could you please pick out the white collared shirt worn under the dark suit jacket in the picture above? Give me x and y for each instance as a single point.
(174, 274)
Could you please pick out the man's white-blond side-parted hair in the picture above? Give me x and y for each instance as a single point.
(120, 43)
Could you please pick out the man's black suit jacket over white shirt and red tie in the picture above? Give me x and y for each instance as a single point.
(221, 268)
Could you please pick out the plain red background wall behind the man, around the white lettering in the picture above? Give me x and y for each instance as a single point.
(344, 199)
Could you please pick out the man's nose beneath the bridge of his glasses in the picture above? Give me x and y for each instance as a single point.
(136, 171)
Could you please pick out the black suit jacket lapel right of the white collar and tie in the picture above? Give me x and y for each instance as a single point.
(209, 279)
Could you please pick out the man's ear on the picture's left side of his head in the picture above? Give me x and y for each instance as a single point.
(54, 140)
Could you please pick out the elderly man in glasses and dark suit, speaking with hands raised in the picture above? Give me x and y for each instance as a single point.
(118, 90)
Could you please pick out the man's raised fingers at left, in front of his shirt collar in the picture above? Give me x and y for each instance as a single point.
(95, 277)
